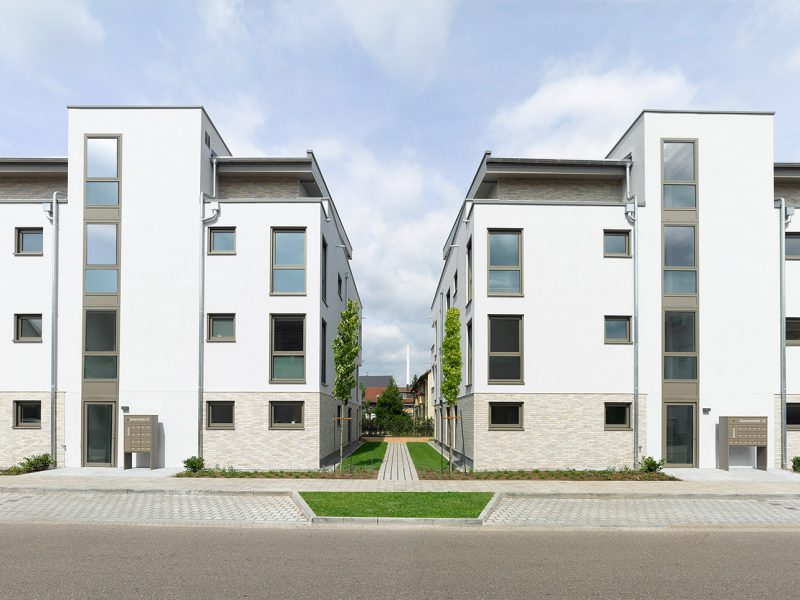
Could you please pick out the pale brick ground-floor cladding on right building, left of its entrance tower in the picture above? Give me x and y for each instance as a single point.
(562, 431)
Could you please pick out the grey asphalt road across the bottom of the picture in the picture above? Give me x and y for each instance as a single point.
(103, 561)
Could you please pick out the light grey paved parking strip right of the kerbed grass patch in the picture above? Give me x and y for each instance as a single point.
(644, 512)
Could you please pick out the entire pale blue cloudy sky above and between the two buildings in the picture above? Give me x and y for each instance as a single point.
(399, 99)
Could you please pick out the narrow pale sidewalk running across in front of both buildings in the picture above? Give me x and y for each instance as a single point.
(160, 481)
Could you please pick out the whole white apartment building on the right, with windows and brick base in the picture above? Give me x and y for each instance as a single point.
(590, 342)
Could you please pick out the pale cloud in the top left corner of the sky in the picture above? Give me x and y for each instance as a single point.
(36, 33)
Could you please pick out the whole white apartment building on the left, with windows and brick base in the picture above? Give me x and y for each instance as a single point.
(192, 285)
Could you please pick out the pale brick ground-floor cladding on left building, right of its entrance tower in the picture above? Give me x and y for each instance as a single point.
(252, 444)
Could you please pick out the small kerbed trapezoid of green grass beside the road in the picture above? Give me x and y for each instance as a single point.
(443, 505)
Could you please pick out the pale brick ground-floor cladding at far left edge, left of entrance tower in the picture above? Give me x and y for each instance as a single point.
(15, 444)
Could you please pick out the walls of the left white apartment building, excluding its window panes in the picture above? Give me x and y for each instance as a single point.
(165, 163)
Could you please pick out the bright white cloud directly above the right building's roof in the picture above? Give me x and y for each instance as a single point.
(581, 115)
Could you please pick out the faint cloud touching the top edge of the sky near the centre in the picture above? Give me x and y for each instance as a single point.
(406, 38)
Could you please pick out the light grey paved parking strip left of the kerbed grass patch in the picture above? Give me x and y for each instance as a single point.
(150, 509)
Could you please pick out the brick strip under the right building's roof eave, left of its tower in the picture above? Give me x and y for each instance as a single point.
(553, 190)
